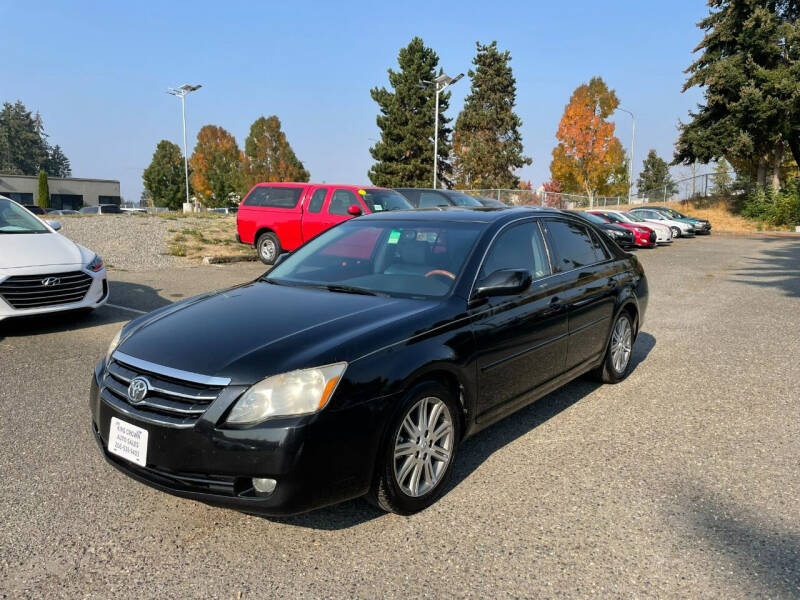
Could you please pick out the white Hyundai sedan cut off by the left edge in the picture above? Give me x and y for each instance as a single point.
(41, 271)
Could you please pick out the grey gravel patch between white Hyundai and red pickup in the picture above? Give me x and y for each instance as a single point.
(132, 243)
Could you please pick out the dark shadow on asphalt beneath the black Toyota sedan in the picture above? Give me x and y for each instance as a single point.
(477, 449)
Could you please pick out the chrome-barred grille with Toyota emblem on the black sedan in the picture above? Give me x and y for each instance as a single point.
(169, 401)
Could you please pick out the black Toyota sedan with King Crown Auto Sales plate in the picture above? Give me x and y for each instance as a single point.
(360, 362)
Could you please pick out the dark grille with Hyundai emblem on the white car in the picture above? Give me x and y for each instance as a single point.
(30, 291)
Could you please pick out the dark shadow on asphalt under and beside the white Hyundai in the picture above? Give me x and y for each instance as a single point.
(132, 295)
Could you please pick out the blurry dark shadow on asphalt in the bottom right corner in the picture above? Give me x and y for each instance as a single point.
(769, 557)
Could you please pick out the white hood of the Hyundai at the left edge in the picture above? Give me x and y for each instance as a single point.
(21, 250)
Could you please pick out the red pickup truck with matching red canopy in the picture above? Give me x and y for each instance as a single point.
(275, 217)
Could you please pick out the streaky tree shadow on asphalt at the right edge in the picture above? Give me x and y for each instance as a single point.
(778, 268)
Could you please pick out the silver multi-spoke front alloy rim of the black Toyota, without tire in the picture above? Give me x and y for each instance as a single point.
(423, 447)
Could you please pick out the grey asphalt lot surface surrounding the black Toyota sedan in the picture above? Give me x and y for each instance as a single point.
(682, 481)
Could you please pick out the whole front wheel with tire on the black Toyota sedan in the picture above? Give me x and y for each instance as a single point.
(417, 457)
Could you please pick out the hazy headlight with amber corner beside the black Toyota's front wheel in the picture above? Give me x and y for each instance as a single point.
(295, 393)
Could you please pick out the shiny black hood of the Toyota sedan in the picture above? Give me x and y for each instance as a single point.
(258, 329)
